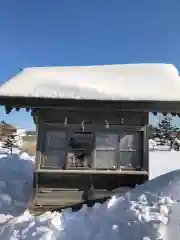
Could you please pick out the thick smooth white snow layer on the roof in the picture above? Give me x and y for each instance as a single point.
(159, 82)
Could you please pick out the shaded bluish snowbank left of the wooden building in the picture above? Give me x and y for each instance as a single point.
(15, 184)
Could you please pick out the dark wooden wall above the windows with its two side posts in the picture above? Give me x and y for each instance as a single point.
(91, 116)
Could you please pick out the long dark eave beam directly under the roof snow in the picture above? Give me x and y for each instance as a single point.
(135, 106)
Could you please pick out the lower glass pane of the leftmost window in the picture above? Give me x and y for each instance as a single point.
(55, 158)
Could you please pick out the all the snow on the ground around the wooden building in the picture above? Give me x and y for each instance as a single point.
(150, 211)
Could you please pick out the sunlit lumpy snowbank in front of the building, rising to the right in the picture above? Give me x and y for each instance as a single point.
(143, 213)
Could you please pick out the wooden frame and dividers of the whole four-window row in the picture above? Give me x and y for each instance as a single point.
(117, 129)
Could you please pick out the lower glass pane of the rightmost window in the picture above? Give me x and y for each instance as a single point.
(130, 159)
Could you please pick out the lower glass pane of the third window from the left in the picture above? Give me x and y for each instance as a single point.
(105, 159)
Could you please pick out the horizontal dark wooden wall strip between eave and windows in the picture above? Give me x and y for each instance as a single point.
(92, 116)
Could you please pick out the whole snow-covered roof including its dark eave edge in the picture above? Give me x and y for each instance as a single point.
(148, 87)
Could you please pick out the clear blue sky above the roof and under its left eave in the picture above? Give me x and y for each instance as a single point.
(80, 32)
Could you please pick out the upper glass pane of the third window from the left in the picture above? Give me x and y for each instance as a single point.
(106, 140)
